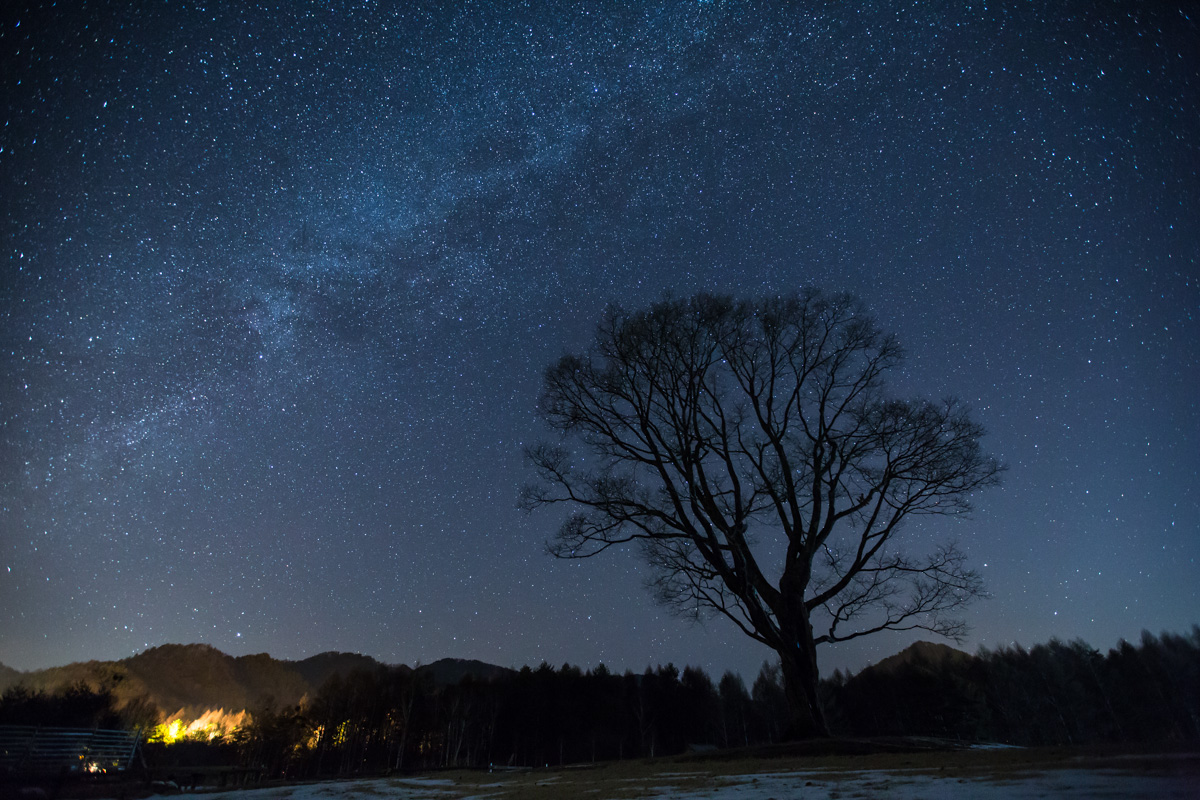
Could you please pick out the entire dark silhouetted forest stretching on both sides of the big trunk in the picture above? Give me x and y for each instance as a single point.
(394, 719)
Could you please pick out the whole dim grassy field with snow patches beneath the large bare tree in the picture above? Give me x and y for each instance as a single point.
(839, 771)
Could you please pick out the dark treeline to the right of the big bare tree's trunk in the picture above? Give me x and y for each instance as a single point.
(1057, 694)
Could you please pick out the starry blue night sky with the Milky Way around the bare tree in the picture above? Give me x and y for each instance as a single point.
(279, 284)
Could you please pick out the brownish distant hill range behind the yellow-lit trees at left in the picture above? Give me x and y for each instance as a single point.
(196, 678)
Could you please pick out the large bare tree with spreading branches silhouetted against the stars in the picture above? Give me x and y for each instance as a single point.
(752, 450)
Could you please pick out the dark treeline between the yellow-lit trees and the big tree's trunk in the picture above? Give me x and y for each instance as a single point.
(393, 720)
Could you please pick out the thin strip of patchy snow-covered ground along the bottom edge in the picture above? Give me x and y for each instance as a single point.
(807, 785)
